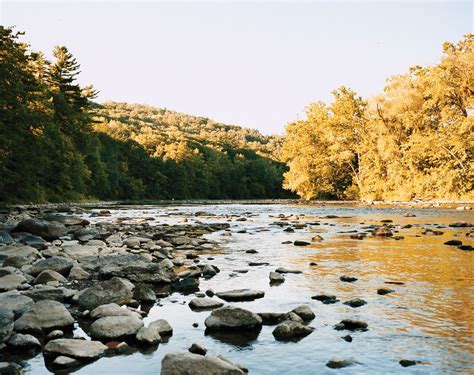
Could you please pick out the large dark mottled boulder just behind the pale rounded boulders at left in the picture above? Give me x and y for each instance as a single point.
(114, 290)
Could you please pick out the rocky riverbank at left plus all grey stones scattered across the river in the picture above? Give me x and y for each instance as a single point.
(103, 273)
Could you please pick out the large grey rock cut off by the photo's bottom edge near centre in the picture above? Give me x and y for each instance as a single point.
(190, 363)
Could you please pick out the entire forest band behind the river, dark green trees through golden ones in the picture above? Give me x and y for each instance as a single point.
(413, 141)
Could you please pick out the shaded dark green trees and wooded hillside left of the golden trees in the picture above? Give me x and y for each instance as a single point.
(56, 144)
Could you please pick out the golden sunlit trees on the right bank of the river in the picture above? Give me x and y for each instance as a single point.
(415, 140)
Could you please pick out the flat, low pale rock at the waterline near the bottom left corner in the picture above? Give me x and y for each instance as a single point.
(75, 348)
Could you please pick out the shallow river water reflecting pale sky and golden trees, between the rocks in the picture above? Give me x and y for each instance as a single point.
(428, 319)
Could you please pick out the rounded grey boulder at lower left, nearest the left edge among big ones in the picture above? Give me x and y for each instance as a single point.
(44, 316)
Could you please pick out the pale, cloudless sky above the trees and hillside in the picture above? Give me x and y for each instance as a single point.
(254, 64)
